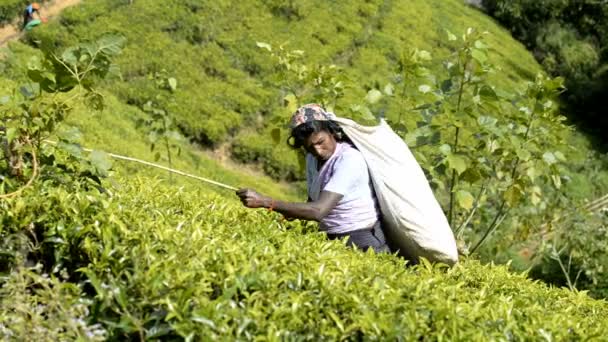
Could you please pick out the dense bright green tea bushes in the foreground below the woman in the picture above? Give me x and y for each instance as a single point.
(167, 262)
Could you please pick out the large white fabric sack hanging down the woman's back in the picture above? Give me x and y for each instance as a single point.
(413, 220)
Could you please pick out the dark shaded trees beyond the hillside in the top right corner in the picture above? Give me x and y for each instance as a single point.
(569, 39)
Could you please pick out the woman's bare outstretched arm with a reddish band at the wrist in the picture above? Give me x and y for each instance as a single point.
(315, 210)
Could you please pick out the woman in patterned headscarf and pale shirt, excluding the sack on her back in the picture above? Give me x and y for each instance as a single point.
(340, 193)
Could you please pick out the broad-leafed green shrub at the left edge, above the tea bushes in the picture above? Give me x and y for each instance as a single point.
(30, 116)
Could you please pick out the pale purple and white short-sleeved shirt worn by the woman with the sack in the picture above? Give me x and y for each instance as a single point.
(344, 173)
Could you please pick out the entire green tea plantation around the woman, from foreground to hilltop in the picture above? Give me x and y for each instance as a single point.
(94, 248)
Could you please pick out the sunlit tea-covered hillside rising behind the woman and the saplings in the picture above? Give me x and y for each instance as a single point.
(230, 93)
